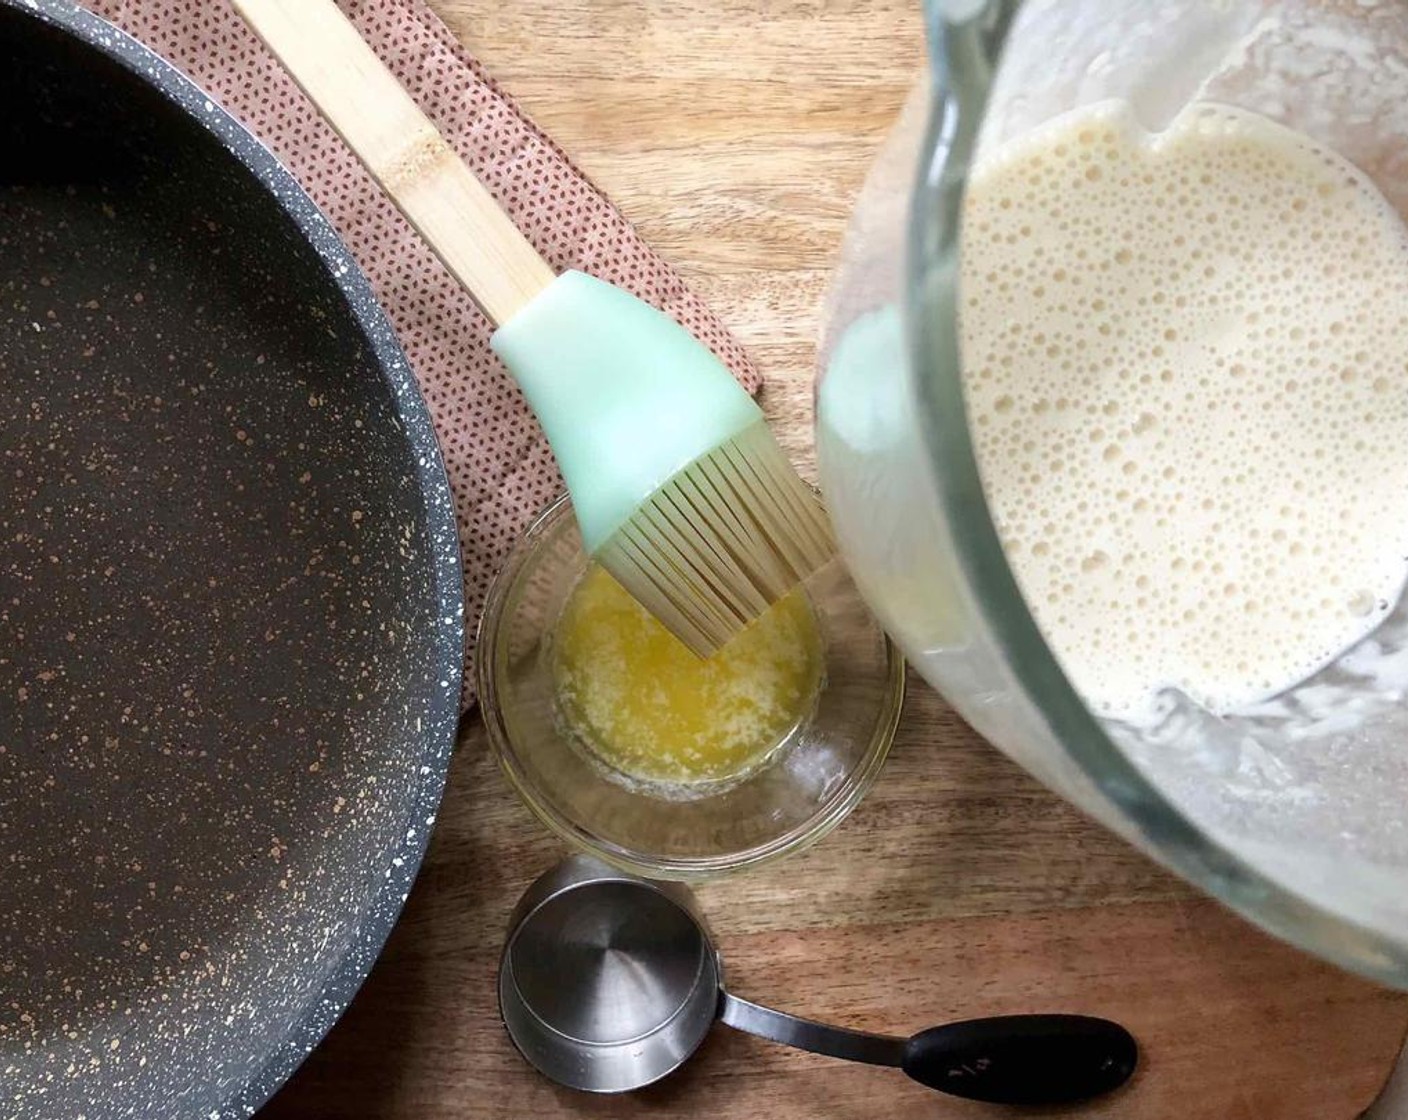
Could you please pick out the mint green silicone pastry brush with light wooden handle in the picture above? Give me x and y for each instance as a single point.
(681, 490)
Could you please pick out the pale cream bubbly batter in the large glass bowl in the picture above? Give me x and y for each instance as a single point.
(1186, 363)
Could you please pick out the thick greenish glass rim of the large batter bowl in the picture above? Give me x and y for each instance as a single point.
(1159, 828)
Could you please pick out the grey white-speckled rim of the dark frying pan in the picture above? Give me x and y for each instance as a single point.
(429, 770)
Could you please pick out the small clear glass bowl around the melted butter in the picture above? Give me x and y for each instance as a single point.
(796, 797)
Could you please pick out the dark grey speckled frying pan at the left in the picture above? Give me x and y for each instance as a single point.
(230, 601)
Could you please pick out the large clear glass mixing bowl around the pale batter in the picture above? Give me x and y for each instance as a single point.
(1293, 815)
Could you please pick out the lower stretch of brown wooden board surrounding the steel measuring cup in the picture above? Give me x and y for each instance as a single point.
(960, 888)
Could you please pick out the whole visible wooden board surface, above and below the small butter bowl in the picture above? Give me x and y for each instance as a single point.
(736, 135)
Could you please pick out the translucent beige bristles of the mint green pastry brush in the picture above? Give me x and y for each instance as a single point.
(722, 542)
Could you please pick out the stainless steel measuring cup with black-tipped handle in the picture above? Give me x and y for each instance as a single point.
(609, 983)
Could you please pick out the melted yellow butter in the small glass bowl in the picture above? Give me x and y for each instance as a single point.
(653, 711)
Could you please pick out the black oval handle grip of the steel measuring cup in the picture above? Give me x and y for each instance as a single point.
(1024, 1059)
